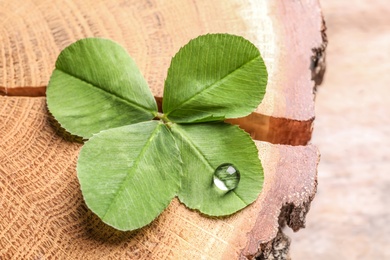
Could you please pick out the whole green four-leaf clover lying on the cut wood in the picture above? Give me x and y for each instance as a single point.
(132, 166)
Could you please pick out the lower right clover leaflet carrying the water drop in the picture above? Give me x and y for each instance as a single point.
(203, 148)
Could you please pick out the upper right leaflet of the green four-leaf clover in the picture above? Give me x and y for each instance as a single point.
(213, 77)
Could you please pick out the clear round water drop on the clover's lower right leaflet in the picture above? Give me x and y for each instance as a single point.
(226, 177)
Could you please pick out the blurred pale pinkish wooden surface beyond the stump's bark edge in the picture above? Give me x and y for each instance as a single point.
(349, 217)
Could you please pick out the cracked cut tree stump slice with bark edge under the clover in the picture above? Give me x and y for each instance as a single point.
(43, 214)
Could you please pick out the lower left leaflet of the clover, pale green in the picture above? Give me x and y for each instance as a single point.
(129, 174)
